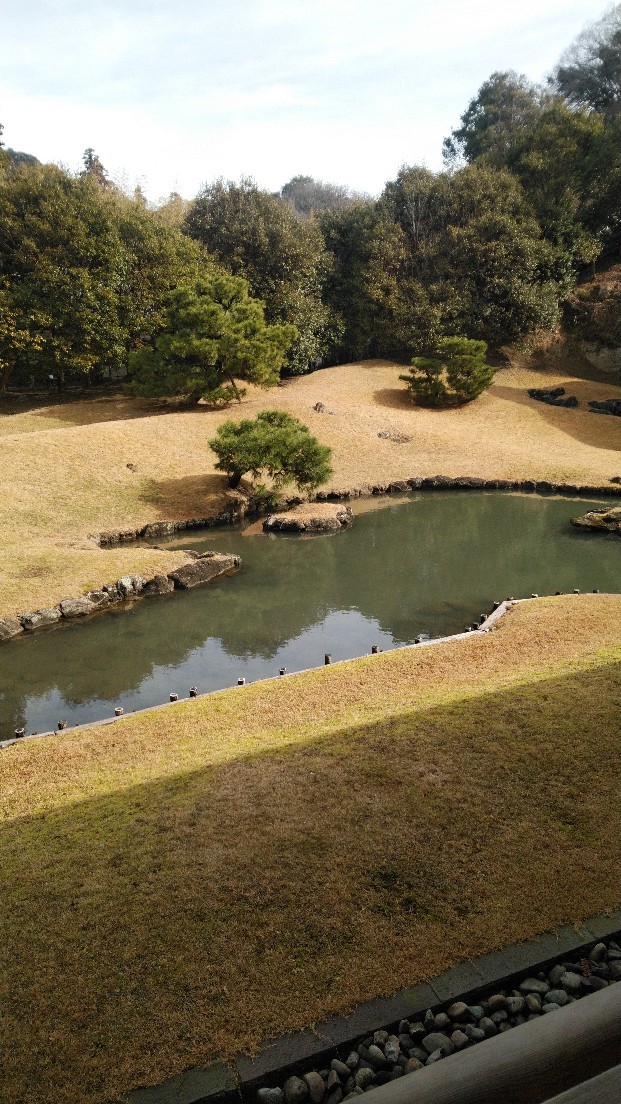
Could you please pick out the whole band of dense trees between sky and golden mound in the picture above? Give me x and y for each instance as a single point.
(489, 249)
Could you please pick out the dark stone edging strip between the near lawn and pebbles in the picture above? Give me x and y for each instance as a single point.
(223, 1084)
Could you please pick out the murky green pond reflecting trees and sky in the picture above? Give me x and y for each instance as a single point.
(426, 566)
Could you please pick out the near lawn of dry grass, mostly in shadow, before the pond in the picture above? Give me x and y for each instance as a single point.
(188, 883)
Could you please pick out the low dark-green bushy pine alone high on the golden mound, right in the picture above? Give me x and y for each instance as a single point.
(456, 374)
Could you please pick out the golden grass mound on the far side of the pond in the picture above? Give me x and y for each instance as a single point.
(73, 471)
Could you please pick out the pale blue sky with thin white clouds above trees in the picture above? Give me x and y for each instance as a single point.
(173, 94)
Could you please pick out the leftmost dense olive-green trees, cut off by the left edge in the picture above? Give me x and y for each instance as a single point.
(85, 272)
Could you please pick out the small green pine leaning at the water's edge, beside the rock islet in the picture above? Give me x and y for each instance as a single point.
(275, 444)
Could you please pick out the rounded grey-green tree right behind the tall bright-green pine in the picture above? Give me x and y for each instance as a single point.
(256, 236)
